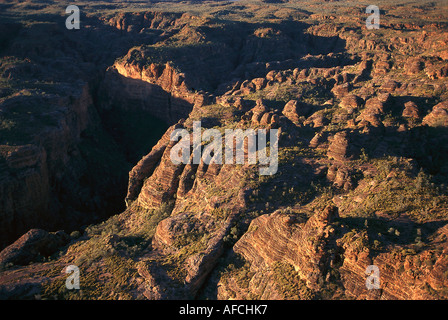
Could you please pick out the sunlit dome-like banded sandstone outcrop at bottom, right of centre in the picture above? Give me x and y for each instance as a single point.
(277, 240)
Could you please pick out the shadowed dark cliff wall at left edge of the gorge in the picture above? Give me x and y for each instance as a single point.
(31, 172)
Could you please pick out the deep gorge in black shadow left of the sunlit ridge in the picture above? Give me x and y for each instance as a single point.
(92, 184)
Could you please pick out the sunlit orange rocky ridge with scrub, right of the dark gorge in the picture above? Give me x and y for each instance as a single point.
(360, 131)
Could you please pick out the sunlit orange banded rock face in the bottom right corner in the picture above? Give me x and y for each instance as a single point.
(402, 275)
